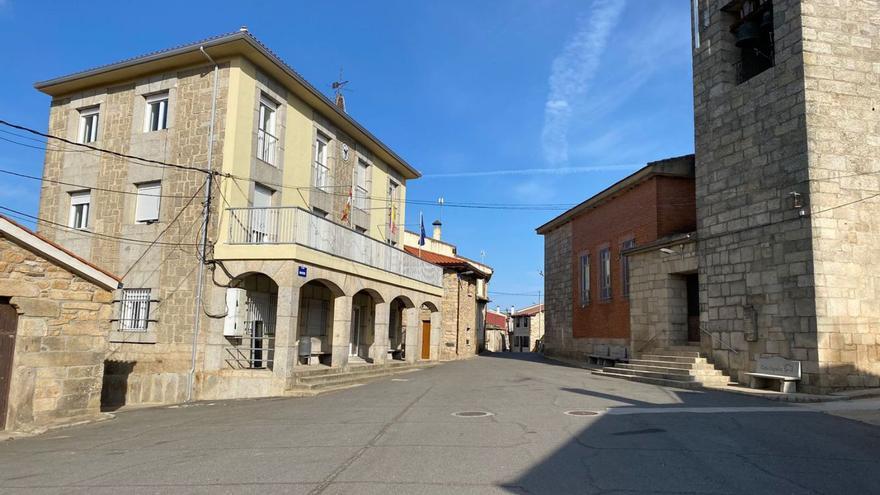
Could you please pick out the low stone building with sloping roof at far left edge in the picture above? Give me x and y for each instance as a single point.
(55, 313)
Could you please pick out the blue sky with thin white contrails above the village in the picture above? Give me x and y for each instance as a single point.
(530, 103)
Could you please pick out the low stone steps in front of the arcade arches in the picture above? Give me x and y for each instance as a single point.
(312, 382)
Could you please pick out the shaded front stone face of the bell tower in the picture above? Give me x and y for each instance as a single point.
(755, 251)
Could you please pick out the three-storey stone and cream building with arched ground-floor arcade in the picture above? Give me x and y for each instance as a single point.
(304, 272)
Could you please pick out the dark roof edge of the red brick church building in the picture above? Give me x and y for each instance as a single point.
(680, 166)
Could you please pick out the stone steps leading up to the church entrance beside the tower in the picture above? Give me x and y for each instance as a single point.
(677, 366)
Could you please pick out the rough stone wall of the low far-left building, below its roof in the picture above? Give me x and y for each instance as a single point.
(61, 340)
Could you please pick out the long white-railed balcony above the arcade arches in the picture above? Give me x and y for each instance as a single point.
(292, 225)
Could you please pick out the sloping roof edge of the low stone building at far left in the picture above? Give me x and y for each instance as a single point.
(47, 249)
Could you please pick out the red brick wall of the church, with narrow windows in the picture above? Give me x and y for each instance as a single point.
(657, 207)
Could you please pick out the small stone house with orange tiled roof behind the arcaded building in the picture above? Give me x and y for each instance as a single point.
(465, 295)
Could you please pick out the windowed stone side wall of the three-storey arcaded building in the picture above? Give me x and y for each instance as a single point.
(152, 366)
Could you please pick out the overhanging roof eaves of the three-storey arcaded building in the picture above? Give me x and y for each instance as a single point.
(240, 42)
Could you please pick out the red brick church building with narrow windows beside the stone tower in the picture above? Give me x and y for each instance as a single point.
(586, 277)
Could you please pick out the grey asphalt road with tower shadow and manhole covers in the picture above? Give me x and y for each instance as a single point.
(398, 435)
